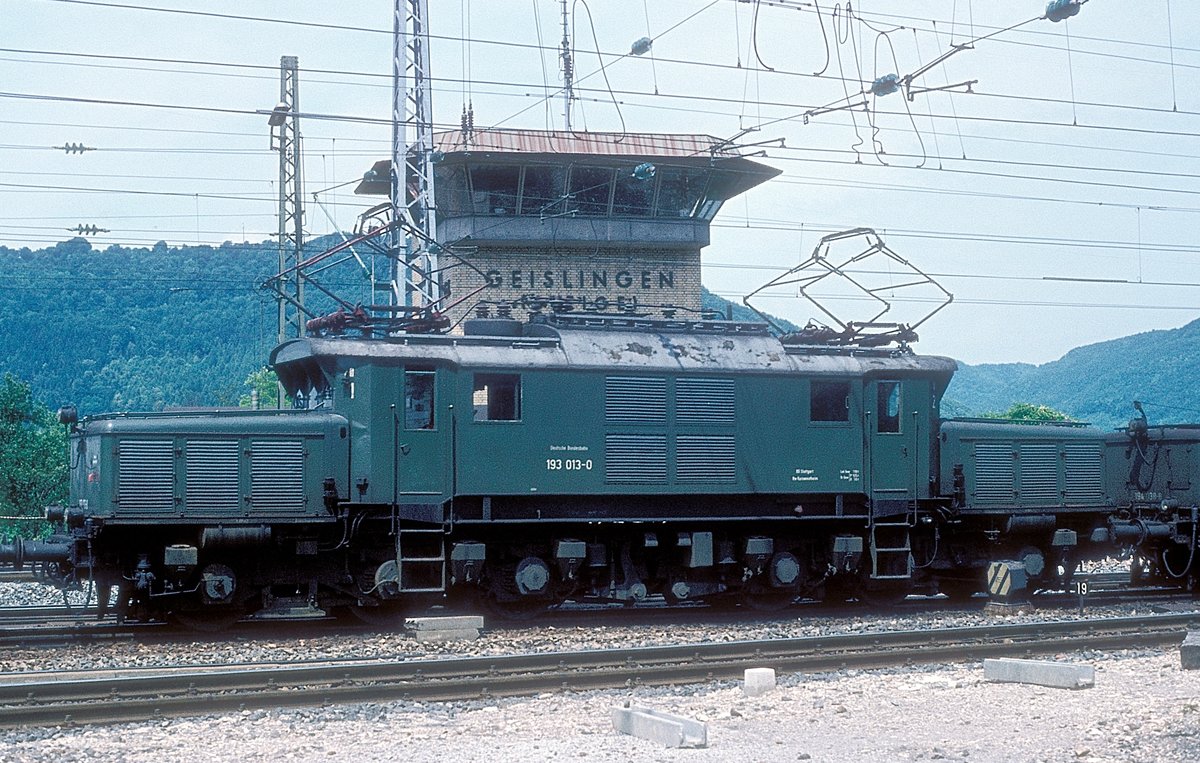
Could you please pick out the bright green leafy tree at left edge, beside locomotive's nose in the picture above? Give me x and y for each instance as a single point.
(33, 458)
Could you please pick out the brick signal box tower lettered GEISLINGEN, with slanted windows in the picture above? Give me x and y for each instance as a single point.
(577, 221)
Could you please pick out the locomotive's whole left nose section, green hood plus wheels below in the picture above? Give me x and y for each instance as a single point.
(175, 509)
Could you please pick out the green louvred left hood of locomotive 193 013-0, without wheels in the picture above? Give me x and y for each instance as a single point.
(236, 467)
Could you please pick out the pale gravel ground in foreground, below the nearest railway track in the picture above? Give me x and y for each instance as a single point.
(1143, 708)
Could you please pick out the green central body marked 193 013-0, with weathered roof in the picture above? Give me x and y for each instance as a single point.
(629, 411)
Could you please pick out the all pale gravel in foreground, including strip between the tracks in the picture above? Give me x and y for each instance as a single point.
(1144, 707)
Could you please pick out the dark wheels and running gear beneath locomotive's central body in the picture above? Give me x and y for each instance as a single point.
(619, 564)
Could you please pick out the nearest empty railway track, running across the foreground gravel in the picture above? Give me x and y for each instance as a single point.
(121, 696)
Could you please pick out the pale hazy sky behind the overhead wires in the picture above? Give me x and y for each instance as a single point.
(1057, 202)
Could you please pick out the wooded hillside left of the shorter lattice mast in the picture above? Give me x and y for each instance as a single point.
(124, 329)
